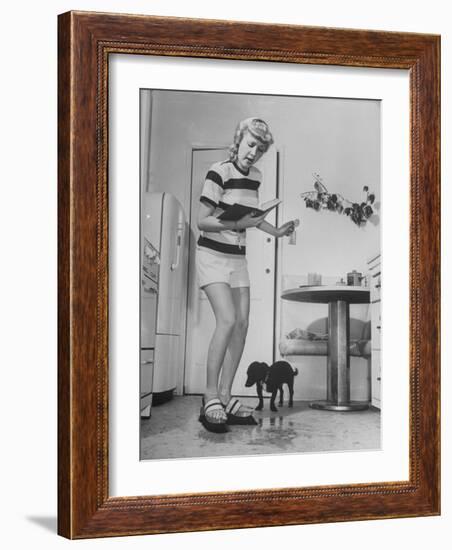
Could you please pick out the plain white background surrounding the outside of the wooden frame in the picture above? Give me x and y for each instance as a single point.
(28, 302)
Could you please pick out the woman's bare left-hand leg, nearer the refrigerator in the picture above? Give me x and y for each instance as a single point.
(221, 300)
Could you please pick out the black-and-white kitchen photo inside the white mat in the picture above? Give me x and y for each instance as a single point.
(260, 275)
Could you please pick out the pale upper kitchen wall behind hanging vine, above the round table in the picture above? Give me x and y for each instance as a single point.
(337, 138)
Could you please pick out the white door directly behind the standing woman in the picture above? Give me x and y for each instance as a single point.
(261, 264)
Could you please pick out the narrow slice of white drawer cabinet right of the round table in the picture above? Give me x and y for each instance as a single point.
(374, 273)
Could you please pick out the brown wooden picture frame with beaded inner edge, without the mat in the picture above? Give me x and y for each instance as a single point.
(85, 42)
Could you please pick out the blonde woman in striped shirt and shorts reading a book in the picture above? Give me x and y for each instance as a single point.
(222, 267)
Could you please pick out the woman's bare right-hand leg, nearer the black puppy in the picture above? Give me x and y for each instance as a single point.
(241, 299)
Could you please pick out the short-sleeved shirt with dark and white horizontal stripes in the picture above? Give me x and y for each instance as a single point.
(226, 184)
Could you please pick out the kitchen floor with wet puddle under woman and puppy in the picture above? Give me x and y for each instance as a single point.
(173, 431)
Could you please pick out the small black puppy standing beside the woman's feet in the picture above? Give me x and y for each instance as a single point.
(273, 377)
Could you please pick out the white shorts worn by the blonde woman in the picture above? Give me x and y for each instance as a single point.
(213, 268)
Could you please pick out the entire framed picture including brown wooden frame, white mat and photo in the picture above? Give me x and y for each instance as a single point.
(249, 286)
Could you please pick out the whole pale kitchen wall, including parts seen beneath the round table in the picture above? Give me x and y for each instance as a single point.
(338, 138)
